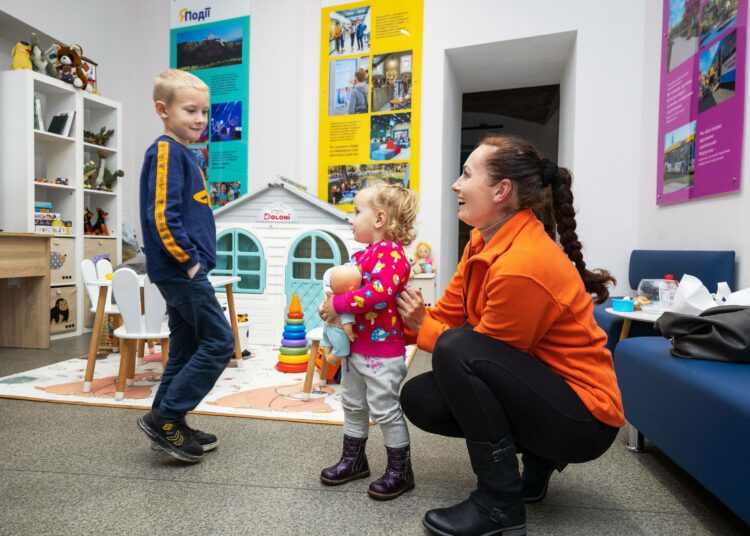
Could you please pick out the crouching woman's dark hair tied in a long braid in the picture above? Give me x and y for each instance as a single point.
(519, 161)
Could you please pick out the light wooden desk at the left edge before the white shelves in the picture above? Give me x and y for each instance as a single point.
(24, 290)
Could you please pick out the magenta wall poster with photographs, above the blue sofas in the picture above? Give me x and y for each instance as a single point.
(701, 98)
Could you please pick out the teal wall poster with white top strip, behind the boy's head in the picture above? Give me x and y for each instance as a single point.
(212, 41)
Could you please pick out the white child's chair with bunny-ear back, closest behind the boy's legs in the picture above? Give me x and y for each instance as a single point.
(127, 292)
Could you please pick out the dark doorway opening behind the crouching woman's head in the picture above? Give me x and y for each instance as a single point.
(531, 113)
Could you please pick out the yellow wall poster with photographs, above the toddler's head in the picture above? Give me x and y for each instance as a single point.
(370, 86)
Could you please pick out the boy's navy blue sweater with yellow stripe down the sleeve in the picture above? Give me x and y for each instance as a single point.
(176, 219)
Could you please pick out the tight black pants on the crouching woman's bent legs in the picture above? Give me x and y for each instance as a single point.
(483, 389)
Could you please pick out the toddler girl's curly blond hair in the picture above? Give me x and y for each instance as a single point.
(400, 207)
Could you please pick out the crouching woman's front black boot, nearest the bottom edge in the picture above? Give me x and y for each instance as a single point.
(495, 507)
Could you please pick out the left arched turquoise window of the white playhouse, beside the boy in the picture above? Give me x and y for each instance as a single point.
(239, 253)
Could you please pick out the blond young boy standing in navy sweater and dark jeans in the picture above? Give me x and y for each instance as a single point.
(179, 237)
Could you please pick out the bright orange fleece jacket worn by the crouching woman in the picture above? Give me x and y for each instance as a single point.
(523, 290)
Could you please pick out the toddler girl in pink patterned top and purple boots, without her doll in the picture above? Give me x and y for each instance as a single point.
(383, 218)
